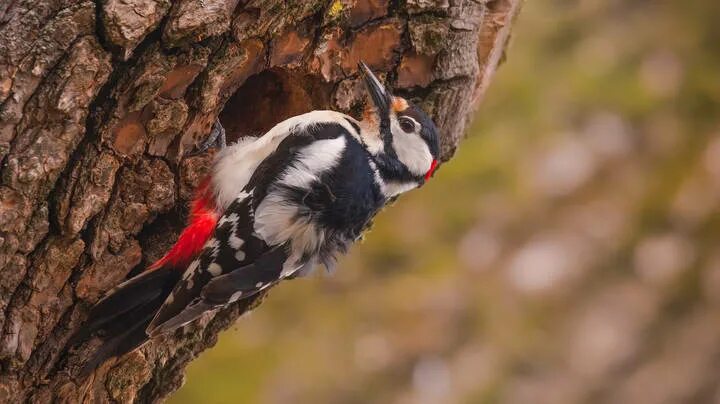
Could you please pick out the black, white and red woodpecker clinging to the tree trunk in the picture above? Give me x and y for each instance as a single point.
(273, 208)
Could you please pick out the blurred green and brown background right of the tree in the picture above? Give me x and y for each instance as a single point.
(567, 254)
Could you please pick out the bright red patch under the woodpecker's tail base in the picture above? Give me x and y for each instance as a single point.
(203, 219)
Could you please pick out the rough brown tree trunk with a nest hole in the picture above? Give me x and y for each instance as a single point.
(100, 101)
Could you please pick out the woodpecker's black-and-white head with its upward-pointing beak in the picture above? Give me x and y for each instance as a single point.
(410, 143)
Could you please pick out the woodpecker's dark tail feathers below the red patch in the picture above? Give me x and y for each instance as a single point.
(120, 318)
